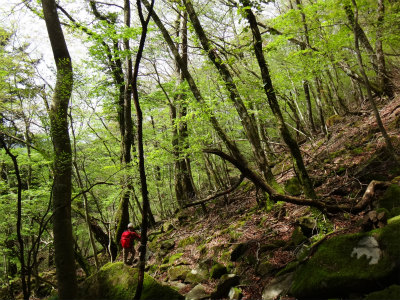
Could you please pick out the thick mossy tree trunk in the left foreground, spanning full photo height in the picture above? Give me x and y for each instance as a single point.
(62, 227)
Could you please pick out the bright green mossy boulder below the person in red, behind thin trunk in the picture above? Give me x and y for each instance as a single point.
(117, 281)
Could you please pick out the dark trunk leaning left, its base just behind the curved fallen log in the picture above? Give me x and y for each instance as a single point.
(273, 103)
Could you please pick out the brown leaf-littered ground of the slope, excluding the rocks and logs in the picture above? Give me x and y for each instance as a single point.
(341, 167)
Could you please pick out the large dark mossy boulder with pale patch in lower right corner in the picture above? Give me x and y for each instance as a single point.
(351, 264)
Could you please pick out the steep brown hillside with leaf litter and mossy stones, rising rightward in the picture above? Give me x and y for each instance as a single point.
(265, 239)
